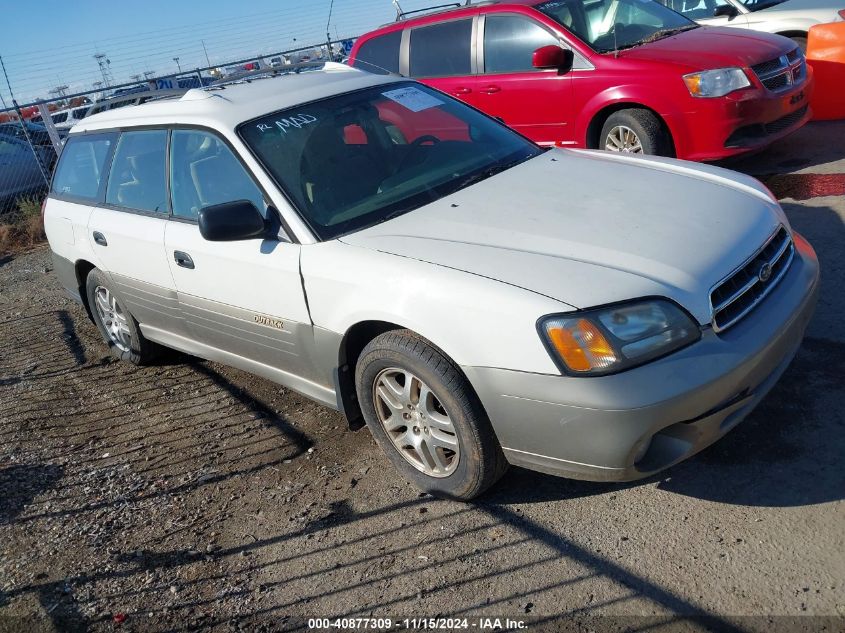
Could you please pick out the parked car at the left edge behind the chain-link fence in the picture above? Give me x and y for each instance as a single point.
(20, 174)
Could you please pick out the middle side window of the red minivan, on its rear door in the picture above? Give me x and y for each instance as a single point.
(442, 50)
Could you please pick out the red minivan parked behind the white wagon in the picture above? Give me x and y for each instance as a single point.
(623, 75)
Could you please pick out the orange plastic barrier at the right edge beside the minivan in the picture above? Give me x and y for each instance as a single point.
(826, 54)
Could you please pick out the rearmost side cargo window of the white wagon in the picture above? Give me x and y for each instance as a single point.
(80, 170)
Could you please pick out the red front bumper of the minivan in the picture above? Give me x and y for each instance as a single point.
(742, 122)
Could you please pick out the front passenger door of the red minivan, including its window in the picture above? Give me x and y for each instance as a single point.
(536, 103)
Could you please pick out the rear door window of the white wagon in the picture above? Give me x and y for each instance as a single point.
(137, 180)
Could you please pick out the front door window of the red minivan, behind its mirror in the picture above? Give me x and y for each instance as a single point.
(510, 42)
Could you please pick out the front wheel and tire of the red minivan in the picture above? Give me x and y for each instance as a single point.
(635, 131)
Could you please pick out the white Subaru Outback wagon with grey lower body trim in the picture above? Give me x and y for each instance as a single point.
(396, 255)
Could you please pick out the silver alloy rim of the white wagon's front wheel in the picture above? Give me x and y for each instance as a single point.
(416, 422)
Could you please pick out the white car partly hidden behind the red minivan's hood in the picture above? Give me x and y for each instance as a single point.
(790, 18)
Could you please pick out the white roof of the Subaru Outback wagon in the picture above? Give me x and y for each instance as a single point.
(227, 105)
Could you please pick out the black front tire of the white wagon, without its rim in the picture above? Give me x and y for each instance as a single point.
(481, 461)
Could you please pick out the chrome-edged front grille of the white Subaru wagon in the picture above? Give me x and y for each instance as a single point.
(742, 290)
